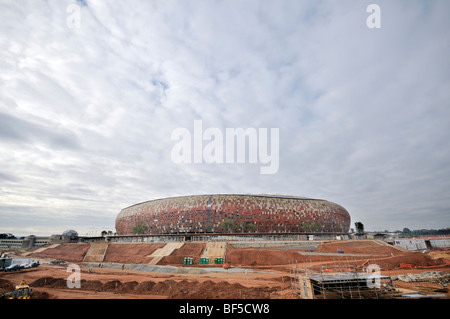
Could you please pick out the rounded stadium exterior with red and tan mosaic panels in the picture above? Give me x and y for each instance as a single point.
(204, 214)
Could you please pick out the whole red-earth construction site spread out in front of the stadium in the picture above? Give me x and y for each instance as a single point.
(233, 269)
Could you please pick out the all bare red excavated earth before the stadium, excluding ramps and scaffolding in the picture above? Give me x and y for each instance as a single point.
(268, 275)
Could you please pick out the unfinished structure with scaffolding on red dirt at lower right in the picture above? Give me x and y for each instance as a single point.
(336, 280)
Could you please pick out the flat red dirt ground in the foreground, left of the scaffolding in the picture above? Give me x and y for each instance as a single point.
(50, 282)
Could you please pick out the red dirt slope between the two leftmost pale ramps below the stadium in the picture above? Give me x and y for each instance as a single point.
(131, 253)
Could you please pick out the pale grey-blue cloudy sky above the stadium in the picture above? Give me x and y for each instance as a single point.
(91, 91)
